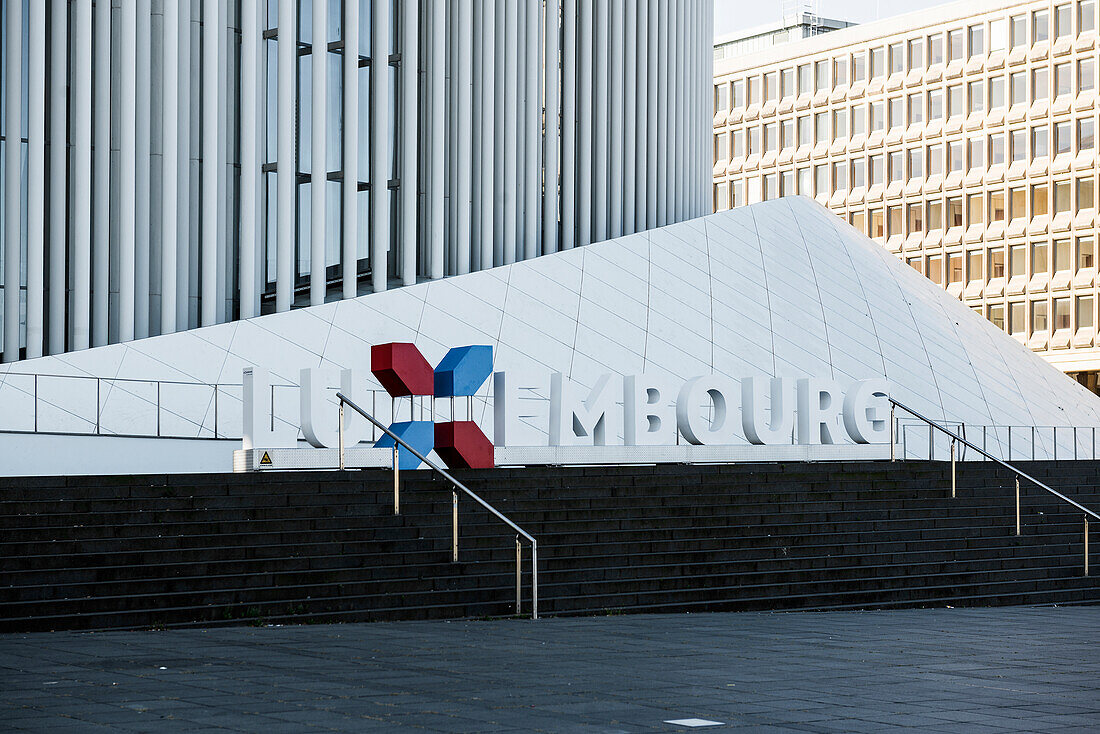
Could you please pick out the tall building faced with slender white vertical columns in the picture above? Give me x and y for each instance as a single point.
(186, 165)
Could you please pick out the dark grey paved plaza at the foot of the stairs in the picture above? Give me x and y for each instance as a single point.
(966, 671)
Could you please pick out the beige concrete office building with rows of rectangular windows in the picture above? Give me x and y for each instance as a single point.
(962, 138)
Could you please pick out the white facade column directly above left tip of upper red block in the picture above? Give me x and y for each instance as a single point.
(380, 145)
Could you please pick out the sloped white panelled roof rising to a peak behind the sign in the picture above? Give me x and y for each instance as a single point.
(780, 289)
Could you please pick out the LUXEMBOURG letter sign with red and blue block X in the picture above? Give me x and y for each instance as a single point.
(554, 411)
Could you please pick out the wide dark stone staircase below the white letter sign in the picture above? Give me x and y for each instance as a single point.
(159, 552)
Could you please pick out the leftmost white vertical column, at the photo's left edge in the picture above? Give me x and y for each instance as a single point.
(14, 118)
